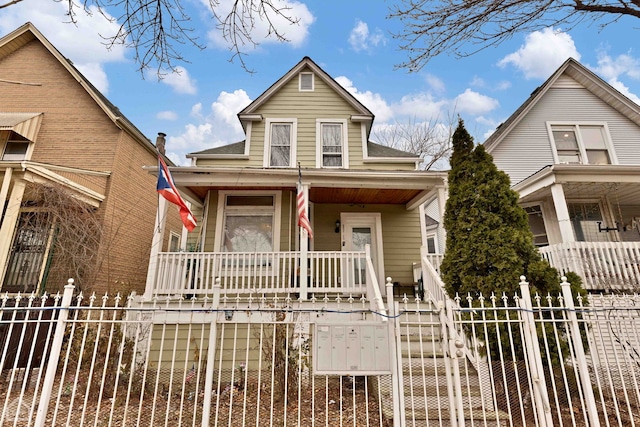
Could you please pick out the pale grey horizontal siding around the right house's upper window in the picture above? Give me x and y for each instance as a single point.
(527, 148)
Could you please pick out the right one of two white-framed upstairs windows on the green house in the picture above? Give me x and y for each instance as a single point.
(332, 143)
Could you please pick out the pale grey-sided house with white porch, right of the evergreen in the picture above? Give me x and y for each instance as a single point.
(572, 151)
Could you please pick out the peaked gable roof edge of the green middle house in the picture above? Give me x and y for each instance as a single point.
(306, 62)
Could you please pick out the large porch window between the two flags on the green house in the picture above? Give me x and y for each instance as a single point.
(248, 224)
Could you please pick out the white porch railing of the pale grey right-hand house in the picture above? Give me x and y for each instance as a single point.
(602, 265)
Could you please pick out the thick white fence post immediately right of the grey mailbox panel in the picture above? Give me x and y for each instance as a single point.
(396, 359)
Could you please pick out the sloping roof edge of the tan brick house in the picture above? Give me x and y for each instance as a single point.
(27, 33)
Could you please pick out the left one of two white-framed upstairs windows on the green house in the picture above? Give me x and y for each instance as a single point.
(280, 137)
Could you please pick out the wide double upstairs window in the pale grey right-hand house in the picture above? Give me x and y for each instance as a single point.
(582, 143)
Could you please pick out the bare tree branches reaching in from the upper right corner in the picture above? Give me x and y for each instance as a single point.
(464, 27)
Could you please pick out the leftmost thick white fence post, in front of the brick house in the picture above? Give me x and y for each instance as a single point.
(56, 347)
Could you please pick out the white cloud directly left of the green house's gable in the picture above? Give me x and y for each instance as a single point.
(219, 127)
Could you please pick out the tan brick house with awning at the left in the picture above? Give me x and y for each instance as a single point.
(59, 134)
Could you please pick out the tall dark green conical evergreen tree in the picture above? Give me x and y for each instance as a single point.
(489, 243)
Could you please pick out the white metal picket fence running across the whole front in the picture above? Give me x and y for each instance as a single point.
(240, 360)
